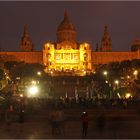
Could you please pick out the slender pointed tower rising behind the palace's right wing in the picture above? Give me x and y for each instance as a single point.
(106, 45)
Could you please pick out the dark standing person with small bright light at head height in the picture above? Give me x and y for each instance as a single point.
(85, 121)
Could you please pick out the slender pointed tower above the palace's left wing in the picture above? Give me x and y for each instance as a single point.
(26, 44)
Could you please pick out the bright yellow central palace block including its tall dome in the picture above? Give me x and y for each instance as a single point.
(66, 55)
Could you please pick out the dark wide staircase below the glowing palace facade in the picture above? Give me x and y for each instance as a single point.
(60, 86)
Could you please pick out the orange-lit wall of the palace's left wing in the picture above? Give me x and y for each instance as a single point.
(28, 57)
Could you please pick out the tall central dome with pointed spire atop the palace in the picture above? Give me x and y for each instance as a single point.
(66, 30)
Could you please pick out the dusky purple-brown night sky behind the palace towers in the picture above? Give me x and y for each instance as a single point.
(89, 18)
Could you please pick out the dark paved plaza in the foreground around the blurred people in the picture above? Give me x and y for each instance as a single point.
(38, 127)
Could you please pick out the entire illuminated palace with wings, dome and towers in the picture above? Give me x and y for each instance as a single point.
(66, 55)
